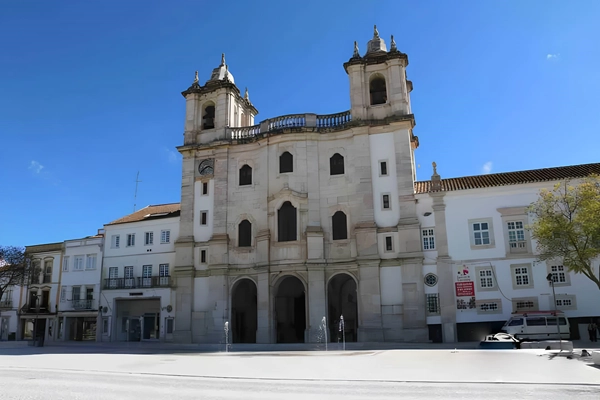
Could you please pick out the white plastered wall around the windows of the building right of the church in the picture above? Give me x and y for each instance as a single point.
(464, 207)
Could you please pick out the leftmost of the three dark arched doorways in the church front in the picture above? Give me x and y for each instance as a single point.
(243, 312)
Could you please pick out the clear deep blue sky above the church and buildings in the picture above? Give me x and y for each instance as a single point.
(90, 90)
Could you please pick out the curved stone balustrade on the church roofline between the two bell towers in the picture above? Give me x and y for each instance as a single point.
(318, 122)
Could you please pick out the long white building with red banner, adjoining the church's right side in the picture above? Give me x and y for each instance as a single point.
(479, 259)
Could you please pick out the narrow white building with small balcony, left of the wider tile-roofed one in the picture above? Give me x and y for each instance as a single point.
(80, 278)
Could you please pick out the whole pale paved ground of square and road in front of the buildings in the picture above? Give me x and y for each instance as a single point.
(412, 374)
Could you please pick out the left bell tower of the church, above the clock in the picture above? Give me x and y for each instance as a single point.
(216, 106)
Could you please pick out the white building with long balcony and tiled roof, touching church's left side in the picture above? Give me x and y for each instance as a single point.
(137, 300)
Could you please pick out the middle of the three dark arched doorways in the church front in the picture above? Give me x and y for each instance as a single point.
(290, 311)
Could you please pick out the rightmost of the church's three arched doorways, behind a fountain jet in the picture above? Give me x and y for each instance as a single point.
(341, 300)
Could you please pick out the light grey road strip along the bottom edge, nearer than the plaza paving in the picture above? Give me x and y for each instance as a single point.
(49, 385)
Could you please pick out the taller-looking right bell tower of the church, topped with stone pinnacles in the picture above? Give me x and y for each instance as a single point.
(379, 88)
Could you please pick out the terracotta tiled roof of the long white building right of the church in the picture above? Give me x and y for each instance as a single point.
(511, 178)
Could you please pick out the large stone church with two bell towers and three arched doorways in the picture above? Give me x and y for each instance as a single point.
(303, 216)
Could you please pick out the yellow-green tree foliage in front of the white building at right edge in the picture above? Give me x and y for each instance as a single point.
(567, 225)
